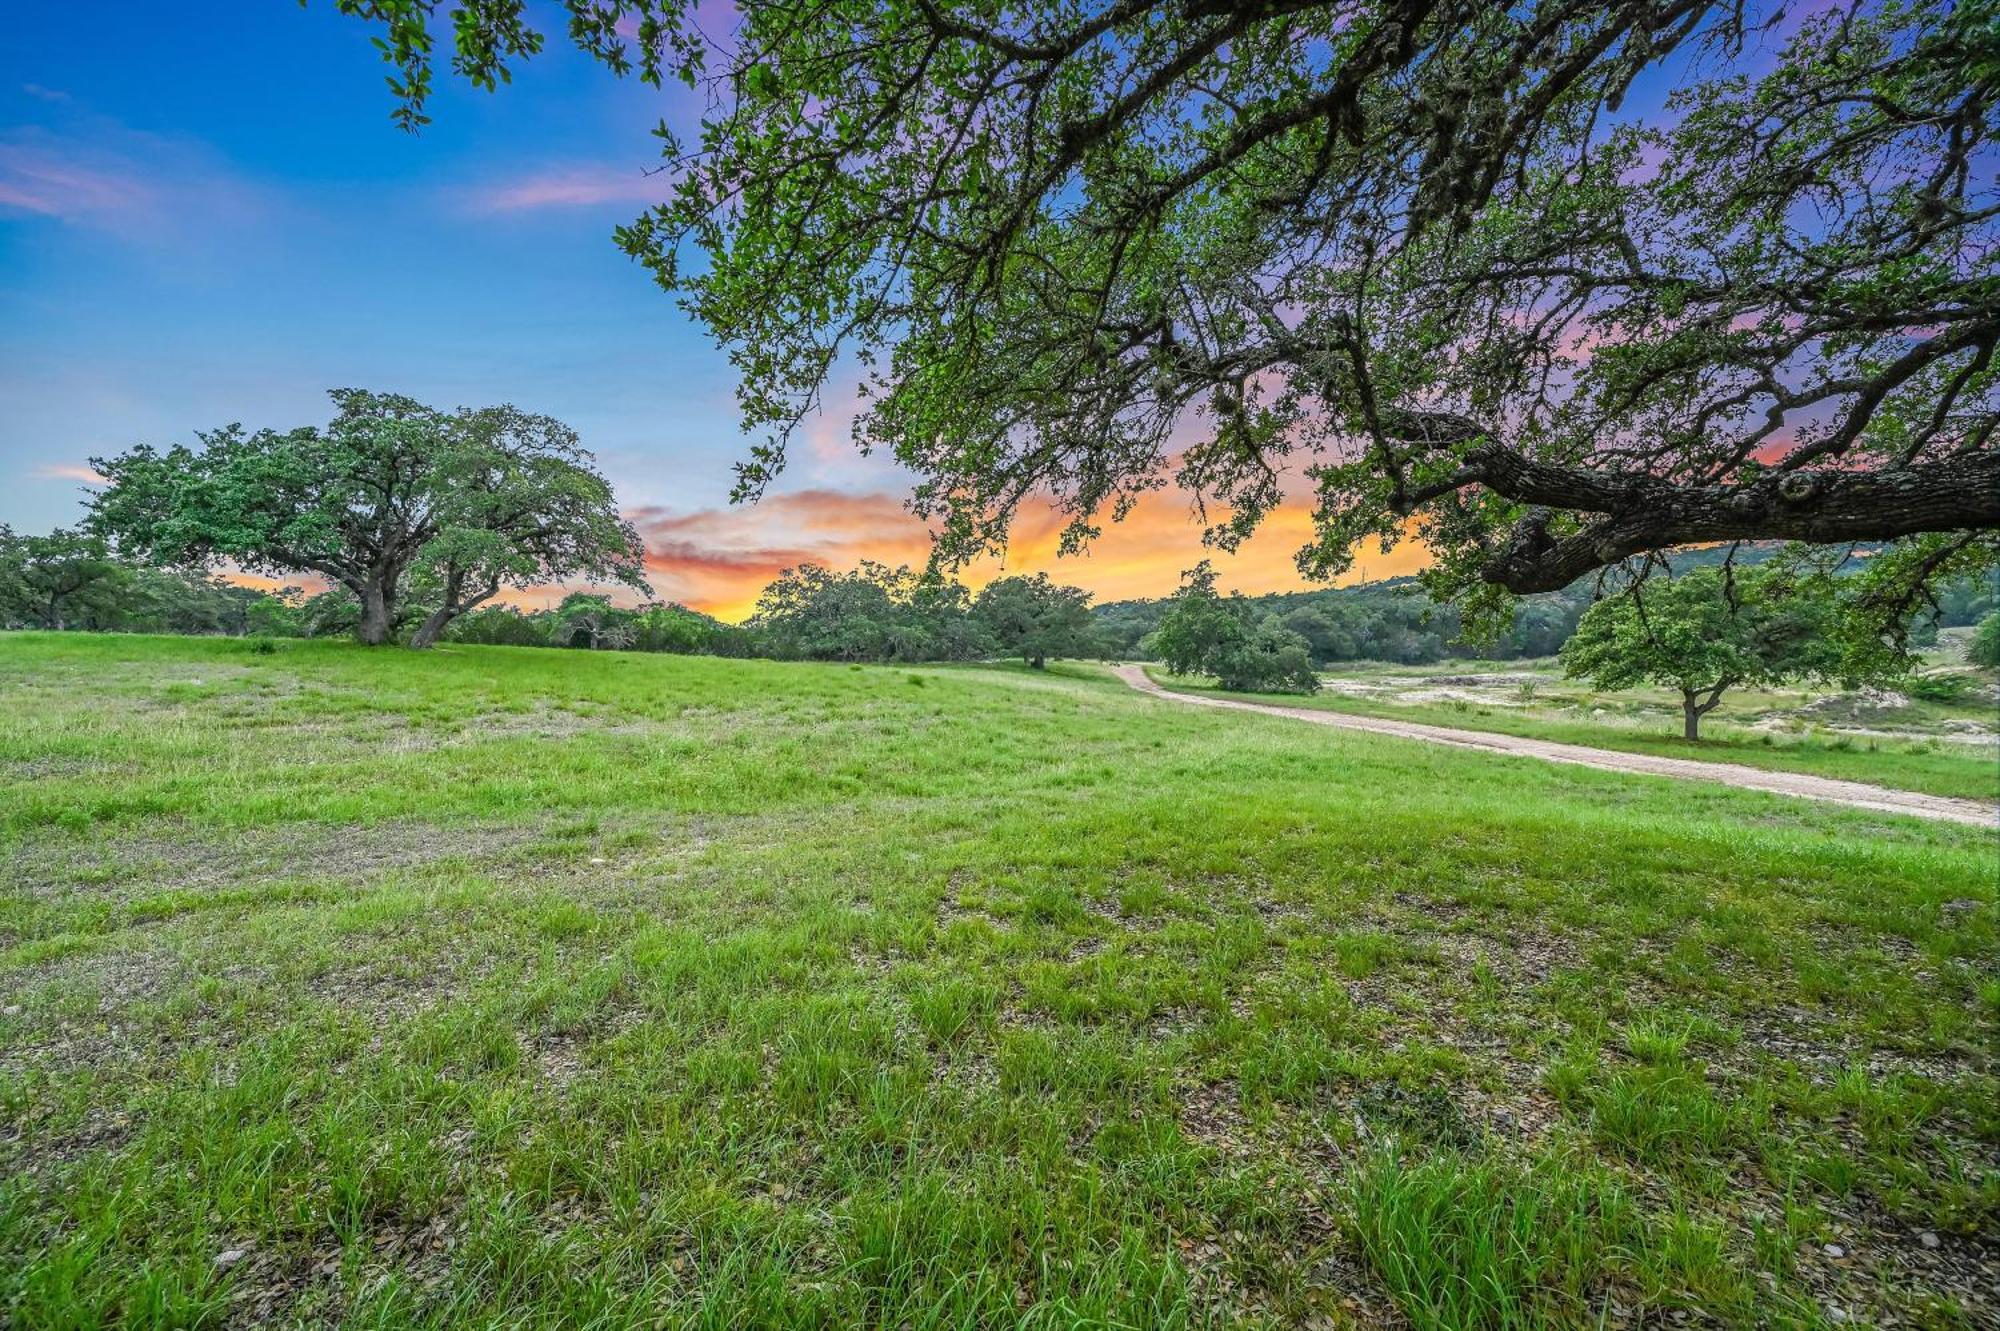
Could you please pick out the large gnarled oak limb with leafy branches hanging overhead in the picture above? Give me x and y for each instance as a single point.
(1409, 249)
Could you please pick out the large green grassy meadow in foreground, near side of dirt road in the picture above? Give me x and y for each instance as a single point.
(599, 990)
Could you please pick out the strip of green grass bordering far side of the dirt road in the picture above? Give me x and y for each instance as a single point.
(1921, 764)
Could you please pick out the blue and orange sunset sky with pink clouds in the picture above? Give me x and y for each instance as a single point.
(209, 223)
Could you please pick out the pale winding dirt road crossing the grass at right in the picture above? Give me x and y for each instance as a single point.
(1853, 794)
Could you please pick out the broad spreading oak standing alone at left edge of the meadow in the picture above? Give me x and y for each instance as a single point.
(393, 501)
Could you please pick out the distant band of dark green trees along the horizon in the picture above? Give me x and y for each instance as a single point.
(75, 579)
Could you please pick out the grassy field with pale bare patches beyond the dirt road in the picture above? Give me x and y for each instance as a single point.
(1649, 722)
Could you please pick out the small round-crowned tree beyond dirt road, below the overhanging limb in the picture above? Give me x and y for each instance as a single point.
(1703, 637)
